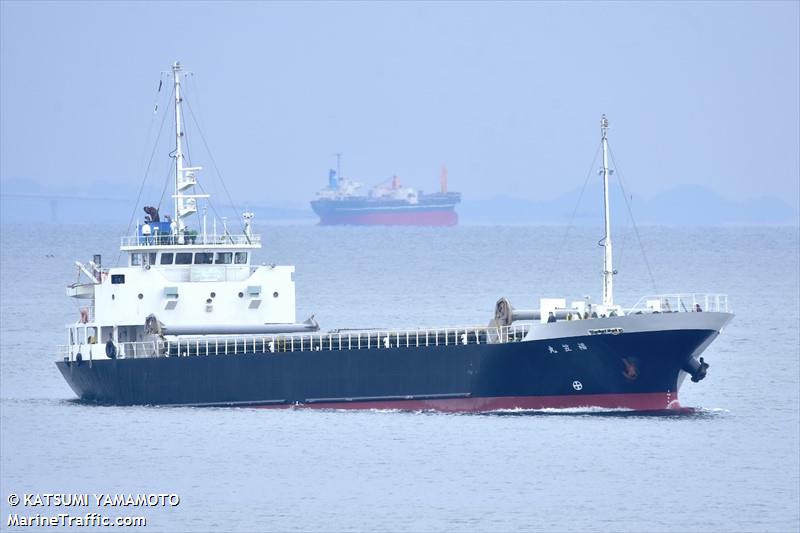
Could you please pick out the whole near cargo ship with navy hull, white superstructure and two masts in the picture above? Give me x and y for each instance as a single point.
(192, 319)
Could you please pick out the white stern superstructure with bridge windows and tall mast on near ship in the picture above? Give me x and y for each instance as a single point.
(179, 281)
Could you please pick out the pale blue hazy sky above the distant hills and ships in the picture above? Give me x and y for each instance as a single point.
(507, 95)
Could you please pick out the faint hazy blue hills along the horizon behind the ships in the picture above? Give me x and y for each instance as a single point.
(686, 205)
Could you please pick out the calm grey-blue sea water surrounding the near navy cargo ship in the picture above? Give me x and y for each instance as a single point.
(732, 466)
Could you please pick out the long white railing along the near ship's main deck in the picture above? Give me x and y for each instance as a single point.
(303, 342)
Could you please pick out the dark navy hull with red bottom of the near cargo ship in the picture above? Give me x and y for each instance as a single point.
(636, 371)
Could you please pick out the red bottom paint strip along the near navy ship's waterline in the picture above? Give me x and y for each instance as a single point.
(657, 401)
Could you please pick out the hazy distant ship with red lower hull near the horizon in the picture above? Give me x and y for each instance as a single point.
(389, 205)
